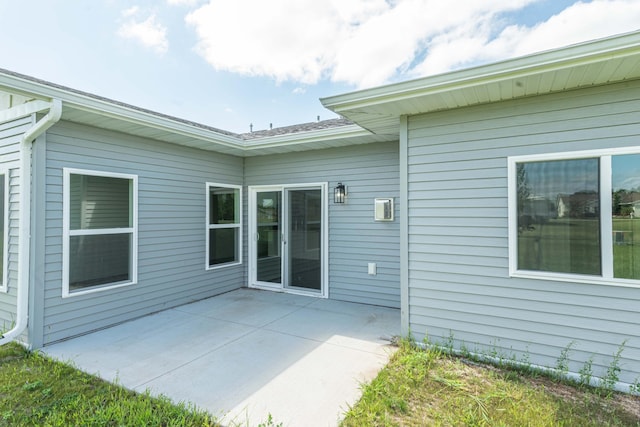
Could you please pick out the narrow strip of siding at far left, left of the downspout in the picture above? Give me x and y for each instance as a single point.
(10, 137)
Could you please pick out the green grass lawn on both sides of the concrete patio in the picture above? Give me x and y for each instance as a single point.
(416, 388)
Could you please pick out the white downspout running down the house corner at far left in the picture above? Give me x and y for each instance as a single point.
(24, 242)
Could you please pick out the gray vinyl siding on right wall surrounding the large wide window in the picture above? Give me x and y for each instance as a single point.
(458, 273)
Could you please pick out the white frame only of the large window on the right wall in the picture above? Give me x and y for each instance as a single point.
(606, 221)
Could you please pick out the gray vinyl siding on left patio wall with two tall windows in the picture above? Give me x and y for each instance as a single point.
(171, 227)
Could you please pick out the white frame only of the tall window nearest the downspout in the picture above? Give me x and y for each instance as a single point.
(67, 233)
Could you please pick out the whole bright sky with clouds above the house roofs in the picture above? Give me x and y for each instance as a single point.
(231, 63)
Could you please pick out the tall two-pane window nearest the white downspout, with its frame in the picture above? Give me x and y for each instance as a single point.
(100, 231)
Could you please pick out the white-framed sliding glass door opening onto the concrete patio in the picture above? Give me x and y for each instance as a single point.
(288, 245)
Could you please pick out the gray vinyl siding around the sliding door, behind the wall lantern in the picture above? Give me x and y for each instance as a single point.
(355, 239)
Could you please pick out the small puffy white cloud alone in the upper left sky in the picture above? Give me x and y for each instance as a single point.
(149, 32)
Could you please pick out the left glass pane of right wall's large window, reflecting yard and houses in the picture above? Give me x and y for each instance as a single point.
(558, 216)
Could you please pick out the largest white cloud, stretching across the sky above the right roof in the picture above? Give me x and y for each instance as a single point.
(369, 42)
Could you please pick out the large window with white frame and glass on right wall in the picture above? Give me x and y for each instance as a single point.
(576, 216)
